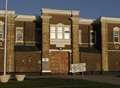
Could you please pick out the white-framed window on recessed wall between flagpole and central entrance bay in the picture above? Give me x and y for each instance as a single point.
(19, 29)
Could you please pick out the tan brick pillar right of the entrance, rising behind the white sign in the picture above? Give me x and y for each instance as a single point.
(75, 39)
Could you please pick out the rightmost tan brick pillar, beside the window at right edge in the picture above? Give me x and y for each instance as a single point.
(104, 35)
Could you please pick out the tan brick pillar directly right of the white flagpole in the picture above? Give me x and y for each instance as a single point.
(10, 44)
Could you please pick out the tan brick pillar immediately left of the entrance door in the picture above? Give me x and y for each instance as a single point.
(45, 42)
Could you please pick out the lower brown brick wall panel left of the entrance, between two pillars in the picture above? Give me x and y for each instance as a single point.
(28, 62)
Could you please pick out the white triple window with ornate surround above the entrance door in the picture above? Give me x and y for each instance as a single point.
(59, 35)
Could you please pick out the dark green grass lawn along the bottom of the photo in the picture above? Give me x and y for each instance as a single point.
(55, 83)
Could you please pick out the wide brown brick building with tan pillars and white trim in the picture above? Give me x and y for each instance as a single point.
(51, 42)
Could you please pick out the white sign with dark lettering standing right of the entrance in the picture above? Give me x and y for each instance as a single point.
(81, 67)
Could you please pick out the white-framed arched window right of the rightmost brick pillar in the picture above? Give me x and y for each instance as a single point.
(116, 34)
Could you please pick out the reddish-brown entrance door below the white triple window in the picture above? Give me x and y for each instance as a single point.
(59, 62)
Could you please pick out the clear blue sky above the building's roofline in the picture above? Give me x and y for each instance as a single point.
(88, 8)
